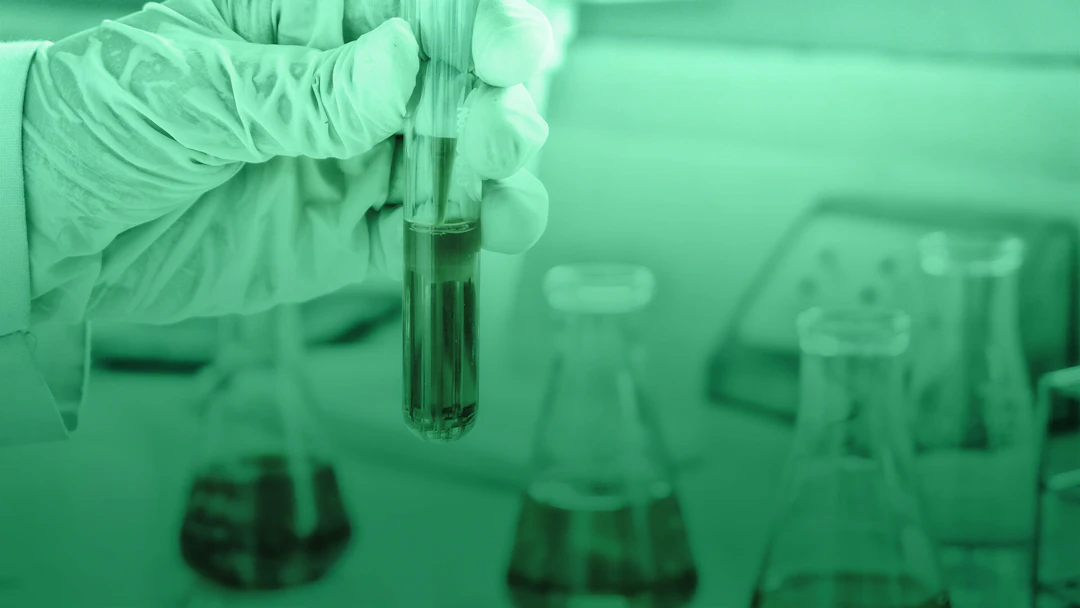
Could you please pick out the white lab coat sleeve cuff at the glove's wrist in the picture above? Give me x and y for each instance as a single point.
(43, 373)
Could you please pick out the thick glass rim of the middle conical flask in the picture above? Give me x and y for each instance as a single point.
(599, 289)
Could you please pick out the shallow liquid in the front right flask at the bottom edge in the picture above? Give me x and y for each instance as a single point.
(849, 591)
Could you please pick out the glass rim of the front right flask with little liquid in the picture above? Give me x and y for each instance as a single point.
(838, 332)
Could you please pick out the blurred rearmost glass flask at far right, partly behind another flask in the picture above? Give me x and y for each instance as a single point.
(976, 425)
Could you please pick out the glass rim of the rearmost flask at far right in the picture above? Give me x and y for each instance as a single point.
(977, 254)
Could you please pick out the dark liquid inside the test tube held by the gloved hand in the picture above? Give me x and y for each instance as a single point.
(441, 344)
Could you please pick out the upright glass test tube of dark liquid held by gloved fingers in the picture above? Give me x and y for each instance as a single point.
(442, 231)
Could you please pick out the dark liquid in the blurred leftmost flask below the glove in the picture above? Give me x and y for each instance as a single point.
(241, 530)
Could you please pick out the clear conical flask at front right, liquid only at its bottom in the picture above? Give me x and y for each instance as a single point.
(849, 533)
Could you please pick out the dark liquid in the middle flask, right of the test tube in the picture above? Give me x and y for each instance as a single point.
(600, 550)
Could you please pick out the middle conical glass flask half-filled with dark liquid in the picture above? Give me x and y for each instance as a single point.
(601, 524)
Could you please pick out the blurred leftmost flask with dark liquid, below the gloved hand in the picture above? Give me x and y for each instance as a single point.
(265, 511)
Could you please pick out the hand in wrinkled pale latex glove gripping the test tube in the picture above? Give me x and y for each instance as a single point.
(208, 157)
